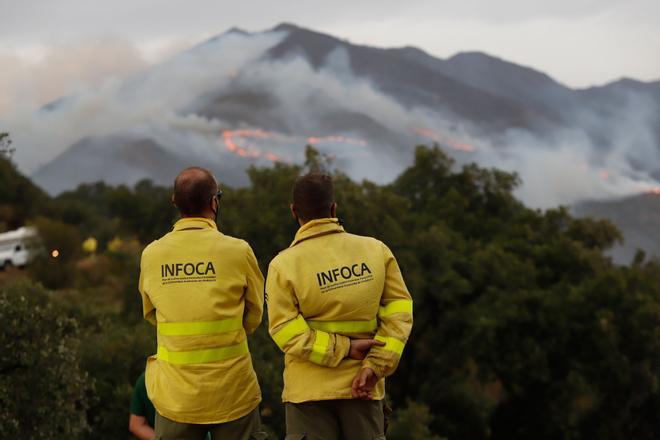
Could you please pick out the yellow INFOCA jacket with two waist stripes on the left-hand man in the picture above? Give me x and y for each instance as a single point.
(204, 292)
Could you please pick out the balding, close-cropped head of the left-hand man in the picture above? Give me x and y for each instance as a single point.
(194, 188)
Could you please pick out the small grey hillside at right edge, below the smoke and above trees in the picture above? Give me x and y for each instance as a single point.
(638, 217)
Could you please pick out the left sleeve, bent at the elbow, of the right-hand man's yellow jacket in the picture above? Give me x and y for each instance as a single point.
(290, 331)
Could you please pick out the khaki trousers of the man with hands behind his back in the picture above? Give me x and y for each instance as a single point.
(335, 420)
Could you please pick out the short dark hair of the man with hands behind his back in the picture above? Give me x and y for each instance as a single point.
(313, 195)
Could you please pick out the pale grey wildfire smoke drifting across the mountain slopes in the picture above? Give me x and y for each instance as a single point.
(161, 104)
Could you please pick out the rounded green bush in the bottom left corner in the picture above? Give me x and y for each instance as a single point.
(43, 389)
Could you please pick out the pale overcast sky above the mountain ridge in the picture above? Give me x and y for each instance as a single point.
(50, 48)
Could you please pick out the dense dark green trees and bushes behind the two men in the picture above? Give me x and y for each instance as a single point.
(523, 326)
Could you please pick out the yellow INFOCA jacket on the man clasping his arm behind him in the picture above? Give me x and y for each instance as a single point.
(327, 287)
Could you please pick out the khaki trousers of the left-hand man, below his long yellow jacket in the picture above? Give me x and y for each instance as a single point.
(246, 428)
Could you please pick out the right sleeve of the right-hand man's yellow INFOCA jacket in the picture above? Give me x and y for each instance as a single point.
(394, 320)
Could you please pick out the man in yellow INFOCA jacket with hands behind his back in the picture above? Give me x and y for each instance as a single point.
(340, 311)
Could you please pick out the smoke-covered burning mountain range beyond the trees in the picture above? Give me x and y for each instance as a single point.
(241, 99)
